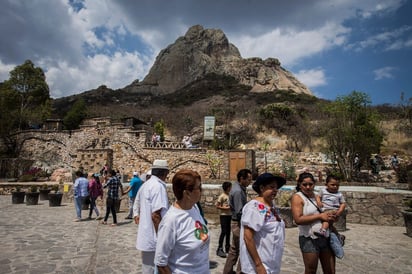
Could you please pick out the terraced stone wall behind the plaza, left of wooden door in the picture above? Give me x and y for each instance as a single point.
(99, 141)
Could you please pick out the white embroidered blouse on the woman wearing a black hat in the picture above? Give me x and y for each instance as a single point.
(269, 237)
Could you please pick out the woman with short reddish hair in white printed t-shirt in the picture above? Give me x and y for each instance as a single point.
(183, 238)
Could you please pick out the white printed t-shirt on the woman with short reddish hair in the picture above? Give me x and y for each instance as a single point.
(183, 242)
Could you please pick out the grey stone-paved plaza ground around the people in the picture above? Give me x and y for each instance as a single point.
(43, 239)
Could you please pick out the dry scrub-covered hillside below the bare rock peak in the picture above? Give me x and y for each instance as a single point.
(277, 120)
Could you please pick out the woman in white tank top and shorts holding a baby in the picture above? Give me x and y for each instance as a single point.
(309, 219)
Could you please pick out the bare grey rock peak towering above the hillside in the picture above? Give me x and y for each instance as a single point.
(206, 51)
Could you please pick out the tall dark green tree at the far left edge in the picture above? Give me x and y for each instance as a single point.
(34, 103)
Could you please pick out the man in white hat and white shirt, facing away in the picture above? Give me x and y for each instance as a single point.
(152, 206)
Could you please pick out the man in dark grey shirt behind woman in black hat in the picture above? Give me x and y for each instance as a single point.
(237, 199)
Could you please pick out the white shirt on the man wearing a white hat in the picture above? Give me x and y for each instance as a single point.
(152, 197)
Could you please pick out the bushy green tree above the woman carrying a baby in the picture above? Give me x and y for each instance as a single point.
(352, 127)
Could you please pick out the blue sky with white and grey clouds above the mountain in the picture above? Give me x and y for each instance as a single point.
(334, 47)
